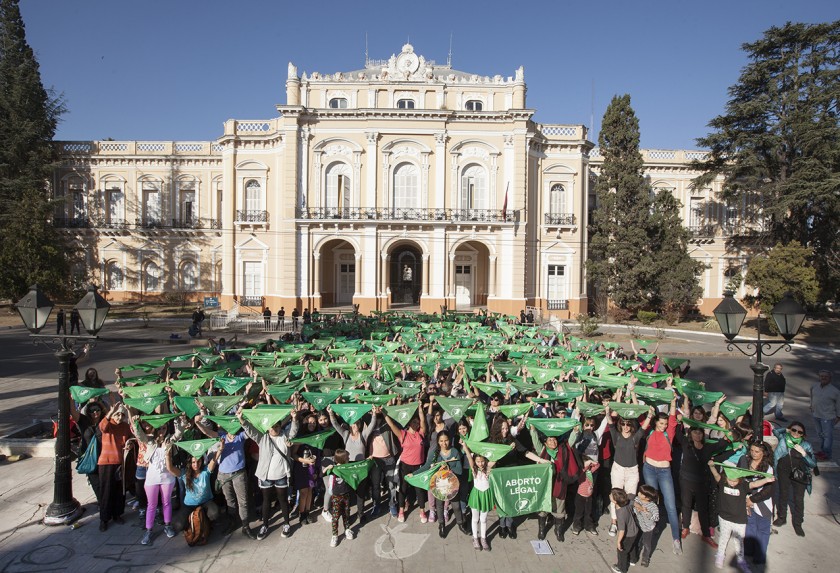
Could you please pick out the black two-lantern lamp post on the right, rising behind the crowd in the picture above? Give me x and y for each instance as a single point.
(788, 316)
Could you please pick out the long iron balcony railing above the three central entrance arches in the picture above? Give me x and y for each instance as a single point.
(408, 214)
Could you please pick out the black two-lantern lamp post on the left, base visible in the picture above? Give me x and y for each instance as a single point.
(34, 309)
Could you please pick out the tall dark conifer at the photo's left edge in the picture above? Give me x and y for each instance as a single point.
(30, 248)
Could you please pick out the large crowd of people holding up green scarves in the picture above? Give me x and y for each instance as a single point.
(413, 415)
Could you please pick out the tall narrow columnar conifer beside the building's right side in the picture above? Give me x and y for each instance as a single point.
(620, 262)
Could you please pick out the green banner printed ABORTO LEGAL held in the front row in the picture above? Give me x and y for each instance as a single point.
(521, 490)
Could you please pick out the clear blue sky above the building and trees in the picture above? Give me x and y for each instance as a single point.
(177, 69)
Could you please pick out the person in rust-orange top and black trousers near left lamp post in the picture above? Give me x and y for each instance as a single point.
(115, 433)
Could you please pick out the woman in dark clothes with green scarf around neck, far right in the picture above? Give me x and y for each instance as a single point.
(793, 461)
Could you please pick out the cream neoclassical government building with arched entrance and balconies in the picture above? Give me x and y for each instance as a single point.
(402, 184)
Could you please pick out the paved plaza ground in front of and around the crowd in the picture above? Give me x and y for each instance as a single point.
(26, 545)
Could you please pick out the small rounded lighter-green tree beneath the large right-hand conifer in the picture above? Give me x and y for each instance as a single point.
(785, 268)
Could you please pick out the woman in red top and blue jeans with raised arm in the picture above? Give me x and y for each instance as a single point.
(657, 467)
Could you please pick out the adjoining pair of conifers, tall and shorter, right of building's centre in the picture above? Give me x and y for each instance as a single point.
(638, 246)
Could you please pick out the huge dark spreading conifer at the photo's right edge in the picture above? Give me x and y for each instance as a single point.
(780, 138)
